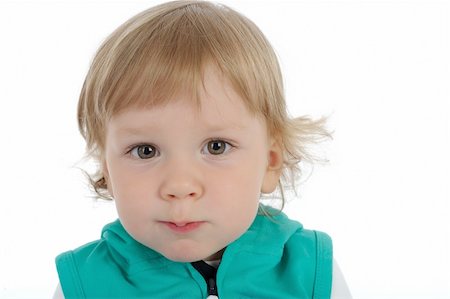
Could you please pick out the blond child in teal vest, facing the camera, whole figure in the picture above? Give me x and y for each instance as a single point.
(183, 108)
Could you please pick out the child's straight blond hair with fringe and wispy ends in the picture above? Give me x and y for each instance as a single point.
(164, 50)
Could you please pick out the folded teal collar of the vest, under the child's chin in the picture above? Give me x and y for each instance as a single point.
(266, 236)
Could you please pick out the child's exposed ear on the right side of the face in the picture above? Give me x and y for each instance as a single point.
(274, 167)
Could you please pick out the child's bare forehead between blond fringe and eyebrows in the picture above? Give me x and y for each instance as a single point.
(219, 107)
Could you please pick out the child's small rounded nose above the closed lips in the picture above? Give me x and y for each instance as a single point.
(181, 181)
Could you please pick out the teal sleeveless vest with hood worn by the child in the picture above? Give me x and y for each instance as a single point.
(275, 258)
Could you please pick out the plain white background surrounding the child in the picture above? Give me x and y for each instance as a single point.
(380, 69)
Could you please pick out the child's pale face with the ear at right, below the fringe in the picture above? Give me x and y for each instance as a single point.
(186, 181)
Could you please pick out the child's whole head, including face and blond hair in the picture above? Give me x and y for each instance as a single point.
(183, 108)
